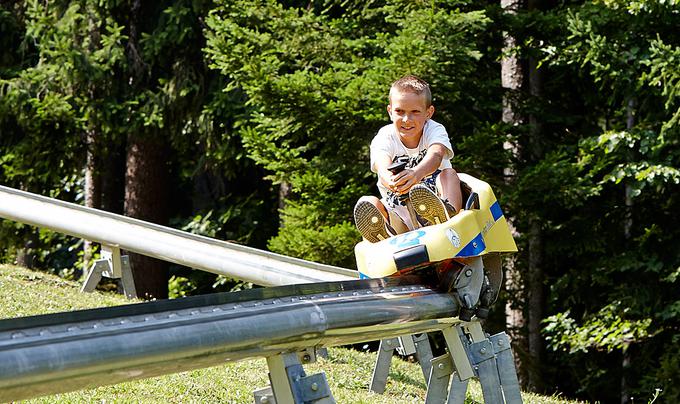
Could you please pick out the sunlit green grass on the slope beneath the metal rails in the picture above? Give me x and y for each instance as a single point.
(26, 292)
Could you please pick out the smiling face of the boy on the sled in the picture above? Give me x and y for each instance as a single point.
(409, 112)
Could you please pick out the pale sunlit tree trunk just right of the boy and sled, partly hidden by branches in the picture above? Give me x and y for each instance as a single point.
(512, 77)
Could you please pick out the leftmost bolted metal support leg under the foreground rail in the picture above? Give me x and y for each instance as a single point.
(290, 384)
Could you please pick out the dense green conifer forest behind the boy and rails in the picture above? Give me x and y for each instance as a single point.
(250, 121)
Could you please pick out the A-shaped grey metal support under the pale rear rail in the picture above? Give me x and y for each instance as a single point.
(111, 265)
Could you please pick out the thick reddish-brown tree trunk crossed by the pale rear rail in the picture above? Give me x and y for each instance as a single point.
(146, 198)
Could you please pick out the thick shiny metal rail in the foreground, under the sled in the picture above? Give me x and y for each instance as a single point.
(63, 352)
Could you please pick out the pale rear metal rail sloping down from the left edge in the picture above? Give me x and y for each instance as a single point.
(219, 257)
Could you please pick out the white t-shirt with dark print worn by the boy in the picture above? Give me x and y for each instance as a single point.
(387, 142)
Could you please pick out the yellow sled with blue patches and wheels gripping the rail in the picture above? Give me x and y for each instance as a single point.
(464, 251)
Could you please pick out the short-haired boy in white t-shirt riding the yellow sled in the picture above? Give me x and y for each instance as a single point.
(428, 176)
